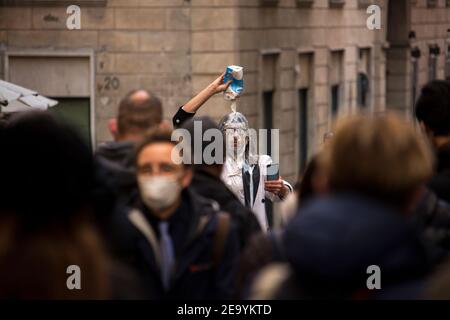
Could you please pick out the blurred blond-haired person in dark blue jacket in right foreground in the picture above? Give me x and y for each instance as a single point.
(376, 168)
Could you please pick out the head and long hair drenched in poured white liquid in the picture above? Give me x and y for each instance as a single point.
(240, 142)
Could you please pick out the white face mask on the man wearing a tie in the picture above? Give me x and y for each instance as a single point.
(159, 192)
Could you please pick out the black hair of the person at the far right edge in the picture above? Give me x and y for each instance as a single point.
(433, 107)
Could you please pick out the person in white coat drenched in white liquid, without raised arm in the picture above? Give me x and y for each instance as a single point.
(245, 172)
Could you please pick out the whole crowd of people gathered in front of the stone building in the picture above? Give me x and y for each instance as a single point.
(141, 225)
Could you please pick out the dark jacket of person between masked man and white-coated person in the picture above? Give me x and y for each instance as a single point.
(213, 188)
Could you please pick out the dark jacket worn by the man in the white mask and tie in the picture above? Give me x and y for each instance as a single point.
(197, 275)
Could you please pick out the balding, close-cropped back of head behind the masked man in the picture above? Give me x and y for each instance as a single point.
(137, 116)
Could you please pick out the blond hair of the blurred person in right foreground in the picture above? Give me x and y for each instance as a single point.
(382, 157)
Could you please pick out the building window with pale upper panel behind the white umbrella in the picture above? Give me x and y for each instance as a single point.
(67, 80)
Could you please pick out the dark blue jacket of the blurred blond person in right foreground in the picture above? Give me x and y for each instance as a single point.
(333, 240)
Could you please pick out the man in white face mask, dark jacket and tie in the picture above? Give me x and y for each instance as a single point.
(181, 245)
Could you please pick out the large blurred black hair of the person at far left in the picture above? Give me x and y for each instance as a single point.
(48, 164)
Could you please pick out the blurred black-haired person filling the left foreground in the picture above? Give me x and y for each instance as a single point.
(45, 212)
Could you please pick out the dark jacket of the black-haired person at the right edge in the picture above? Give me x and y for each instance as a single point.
(440, 182)
